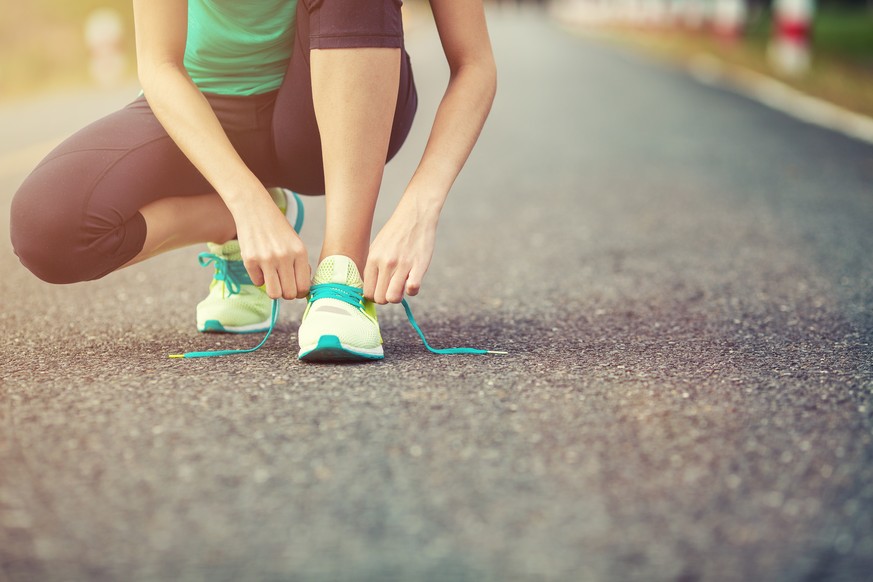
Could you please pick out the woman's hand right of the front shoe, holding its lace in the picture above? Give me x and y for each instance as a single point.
(400, 254)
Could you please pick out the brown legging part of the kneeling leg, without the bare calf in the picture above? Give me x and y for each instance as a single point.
(85, 196)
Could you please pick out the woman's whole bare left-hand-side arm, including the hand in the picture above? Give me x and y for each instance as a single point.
(272, 253)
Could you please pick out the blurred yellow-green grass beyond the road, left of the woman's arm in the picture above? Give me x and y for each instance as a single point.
(42, 43)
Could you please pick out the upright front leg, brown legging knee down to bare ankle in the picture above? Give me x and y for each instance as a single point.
(346, 107)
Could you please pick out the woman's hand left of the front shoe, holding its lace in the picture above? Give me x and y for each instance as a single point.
(272, 252)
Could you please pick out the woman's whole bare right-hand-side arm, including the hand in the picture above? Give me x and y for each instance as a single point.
(401, 253)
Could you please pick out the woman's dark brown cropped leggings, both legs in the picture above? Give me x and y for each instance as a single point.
(76, 217)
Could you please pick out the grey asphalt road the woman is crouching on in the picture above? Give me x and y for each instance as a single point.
(683, 279)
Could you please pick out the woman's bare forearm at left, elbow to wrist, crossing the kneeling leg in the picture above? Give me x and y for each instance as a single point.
(189, 120)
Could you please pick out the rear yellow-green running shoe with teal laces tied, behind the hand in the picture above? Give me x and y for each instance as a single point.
(234, 304)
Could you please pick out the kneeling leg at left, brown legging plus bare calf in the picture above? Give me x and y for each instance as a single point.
(117, 192)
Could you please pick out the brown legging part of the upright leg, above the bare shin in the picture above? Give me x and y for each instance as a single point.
(326, 24)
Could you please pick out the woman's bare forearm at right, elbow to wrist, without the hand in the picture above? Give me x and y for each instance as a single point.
(457, 125)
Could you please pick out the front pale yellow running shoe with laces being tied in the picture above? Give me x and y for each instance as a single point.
(339, 324)
